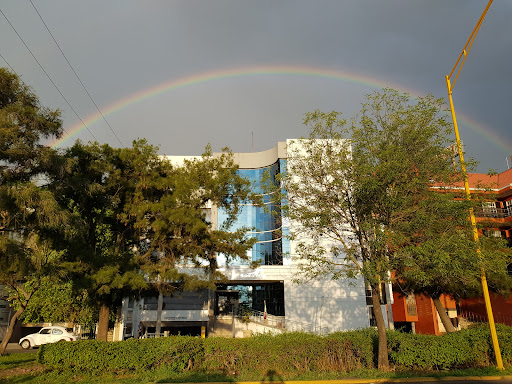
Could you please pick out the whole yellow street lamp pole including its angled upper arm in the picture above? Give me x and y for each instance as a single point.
(487, 299)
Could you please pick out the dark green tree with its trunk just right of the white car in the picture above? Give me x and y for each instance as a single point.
(94, 183)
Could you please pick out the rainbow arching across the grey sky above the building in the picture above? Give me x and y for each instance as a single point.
(204, 77)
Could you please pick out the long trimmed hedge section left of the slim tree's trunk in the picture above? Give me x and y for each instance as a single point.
(288, 353)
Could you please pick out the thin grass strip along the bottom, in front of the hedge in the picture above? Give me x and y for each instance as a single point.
(23, 368)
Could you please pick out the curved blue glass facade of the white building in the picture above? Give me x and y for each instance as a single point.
(264, 223)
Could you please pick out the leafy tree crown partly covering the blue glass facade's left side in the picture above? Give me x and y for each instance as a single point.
(179, 240)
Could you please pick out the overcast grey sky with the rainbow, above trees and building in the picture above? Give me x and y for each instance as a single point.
(242, 74)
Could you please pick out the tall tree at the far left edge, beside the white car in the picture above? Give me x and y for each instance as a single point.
(28, 211)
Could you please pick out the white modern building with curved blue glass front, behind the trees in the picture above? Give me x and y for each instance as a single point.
(267, 294)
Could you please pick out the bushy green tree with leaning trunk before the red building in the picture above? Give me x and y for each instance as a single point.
(447, 261)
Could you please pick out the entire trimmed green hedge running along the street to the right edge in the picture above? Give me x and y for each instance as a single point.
(289, 353)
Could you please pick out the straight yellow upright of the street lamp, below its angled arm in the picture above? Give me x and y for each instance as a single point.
(487, 299)
